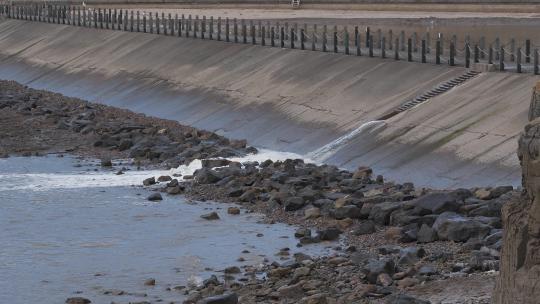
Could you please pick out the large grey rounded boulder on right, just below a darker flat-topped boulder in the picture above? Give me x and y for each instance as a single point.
(453, 227)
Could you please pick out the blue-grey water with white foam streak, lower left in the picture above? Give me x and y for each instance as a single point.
(69, 228)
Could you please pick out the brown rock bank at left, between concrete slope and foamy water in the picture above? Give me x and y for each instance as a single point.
(146, 139)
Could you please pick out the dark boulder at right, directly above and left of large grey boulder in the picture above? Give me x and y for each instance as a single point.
(437, 202)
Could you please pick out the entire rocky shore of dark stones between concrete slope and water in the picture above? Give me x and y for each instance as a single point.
(393, 237)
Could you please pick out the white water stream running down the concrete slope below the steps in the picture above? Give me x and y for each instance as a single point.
(329, 149)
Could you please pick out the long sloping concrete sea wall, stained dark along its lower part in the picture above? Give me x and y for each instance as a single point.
(287, 100)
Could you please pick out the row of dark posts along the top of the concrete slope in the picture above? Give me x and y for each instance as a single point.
(109, 18)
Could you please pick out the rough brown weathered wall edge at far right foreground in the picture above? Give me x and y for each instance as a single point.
(520, 257)
